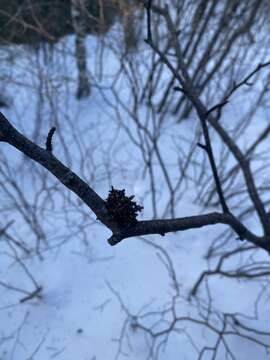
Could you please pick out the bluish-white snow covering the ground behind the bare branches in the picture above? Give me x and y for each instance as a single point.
(89, 288)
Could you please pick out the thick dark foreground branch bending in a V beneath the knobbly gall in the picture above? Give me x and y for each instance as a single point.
(10, 135)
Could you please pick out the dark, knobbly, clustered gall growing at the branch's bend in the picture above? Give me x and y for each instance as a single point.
(121, 208)
